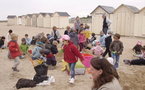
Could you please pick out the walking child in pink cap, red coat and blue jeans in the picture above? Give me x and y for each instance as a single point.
(70, 56)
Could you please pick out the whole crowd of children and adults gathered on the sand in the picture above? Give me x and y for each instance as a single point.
(74, 41)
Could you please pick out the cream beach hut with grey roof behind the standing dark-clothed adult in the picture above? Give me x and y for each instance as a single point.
(97, 20)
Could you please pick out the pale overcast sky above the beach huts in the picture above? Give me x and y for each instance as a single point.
(73, 7)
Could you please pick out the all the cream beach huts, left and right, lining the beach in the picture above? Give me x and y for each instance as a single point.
(126, 20)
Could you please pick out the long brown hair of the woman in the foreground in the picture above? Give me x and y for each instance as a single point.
(109, 72)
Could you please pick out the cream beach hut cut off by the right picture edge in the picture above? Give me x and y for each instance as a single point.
(139, 29)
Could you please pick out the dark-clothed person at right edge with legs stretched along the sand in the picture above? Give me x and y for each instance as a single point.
(140, 61)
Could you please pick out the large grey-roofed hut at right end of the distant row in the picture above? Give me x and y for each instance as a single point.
(60, 19)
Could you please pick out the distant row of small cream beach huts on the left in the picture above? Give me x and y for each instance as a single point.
(47, 20)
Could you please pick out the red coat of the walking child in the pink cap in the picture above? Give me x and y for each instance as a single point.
(71, 53)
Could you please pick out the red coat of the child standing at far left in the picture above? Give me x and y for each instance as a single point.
(14, 49)
